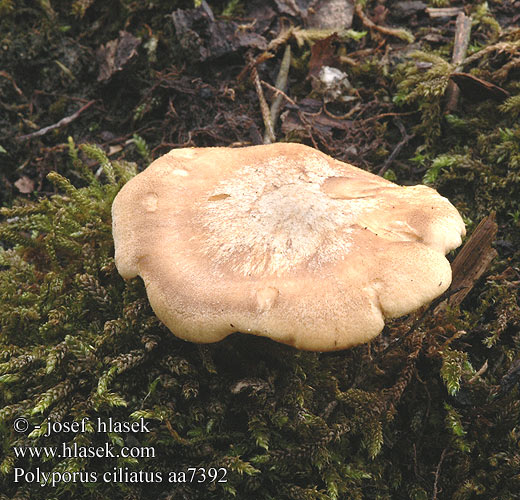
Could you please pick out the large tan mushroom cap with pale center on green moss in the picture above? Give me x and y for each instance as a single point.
(281, 241)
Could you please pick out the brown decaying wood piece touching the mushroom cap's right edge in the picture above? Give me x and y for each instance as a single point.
(473, 260)
